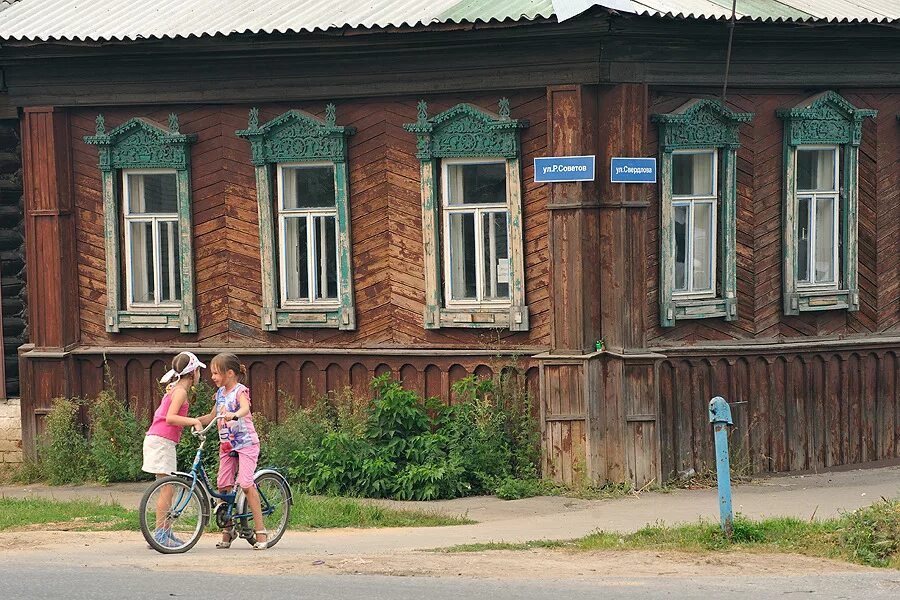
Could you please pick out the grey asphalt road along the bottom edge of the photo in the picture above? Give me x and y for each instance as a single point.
(37, 582)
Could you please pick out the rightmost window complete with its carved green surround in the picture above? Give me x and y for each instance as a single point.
(821, 144)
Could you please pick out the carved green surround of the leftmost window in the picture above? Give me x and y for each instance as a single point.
(143, 144)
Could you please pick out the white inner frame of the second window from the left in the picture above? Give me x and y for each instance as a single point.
(313, 256)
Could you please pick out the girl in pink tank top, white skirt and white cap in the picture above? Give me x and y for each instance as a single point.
(165, 432)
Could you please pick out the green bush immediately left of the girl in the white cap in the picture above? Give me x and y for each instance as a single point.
(116, 439)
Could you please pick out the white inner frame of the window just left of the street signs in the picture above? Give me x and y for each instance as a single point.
(478, 210)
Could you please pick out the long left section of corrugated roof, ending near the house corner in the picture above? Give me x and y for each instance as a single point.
(141, 19)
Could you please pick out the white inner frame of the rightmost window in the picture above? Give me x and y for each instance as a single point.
(813, 197)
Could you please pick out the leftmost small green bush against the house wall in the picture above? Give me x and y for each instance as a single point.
(63, 449)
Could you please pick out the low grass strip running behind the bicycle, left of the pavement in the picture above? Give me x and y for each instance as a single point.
(307, 513)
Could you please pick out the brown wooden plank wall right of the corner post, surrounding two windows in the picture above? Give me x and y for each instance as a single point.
(807, 408)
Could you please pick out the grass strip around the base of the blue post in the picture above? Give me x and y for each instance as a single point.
(869, 536)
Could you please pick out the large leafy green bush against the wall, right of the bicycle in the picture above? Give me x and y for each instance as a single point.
(398, 446)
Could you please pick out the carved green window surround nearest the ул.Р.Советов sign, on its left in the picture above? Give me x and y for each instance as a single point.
(468, 132)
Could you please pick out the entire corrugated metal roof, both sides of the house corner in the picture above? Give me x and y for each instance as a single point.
(95, 20)
